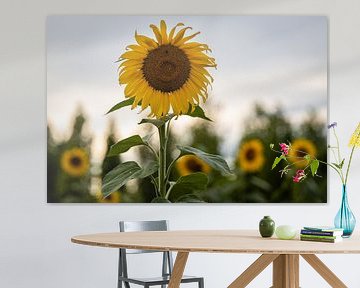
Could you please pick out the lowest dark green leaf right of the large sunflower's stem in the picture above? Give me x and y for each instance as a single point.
(188, 185)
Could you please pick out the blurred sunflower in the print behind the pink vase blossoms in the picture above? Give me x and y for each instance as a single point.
(298, 149)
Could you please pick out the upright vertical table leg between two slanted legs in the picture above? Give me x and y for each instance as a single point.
(286, 271)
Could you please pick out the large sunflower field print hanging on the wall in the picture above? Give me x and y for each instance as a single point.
(194, 109)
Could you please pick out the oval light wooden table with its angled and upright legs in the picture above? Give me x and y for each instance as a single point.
(284, 254)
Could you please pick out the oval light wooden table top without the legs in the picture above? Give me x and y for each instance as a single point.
(220, 241)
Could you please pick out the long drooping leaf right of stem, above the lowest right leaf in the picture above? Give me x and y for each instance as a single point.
(215, 161)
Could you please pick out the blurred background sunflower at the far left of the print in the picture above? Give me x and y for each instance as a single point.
(75, 162)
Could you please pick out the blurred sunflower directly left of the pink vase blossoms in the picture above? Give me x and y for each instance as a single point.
(251, 156)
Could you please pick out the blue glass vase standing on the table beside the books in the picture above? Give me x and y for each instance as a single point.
(345, 219)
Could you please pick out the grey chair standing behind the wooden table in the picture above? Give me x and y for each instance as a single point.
(167, 263)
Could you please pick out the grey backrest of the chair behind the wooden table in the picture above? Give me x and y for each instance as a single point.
(134, 226)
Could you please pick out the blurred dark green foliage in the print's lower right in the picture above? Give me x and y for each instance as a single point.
(267, 185)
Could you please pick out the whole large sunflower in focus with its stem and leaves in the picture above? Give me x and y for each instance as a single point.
(169, 75)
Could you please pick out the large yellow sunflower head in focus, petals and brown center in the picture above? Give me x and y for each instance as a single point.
(168, 71)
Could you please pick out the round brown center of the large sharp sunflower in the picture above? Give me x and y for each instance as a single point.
(166, 68)
